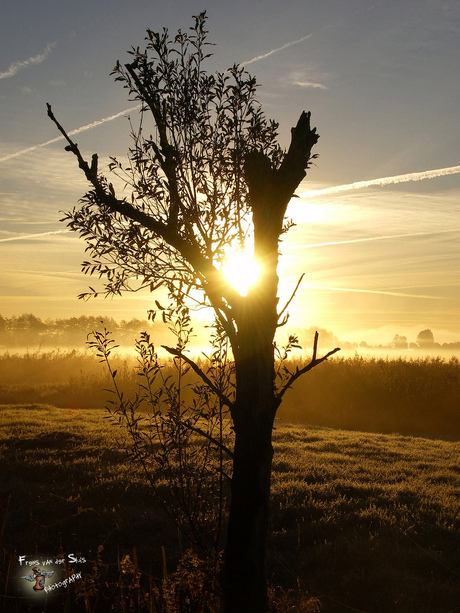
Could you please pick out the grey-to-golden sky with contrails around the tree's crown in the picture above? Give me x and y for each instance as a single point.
(378, 217)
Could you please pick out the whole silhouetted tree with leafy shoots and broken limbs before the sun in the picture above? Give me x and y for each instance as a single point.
(206, 174)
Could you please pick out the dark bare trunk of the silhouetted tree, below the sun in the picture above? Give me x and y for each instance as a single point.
(245, 578)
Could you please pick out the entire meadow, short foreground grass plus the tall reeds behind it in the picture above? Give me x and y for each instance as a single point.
(365, 493)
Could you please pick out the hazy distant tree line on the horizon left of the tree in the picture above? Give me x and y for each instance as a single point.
(29, 330)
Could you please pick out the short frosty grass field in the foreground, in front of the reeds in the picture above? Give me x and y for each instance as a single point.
(360, 521)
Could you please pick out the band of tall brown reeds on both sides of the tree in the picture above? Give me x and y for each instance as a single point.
(420, 397)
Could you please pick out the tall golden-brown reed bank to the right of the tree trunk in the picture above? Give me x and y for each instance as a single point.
(419, 397)
